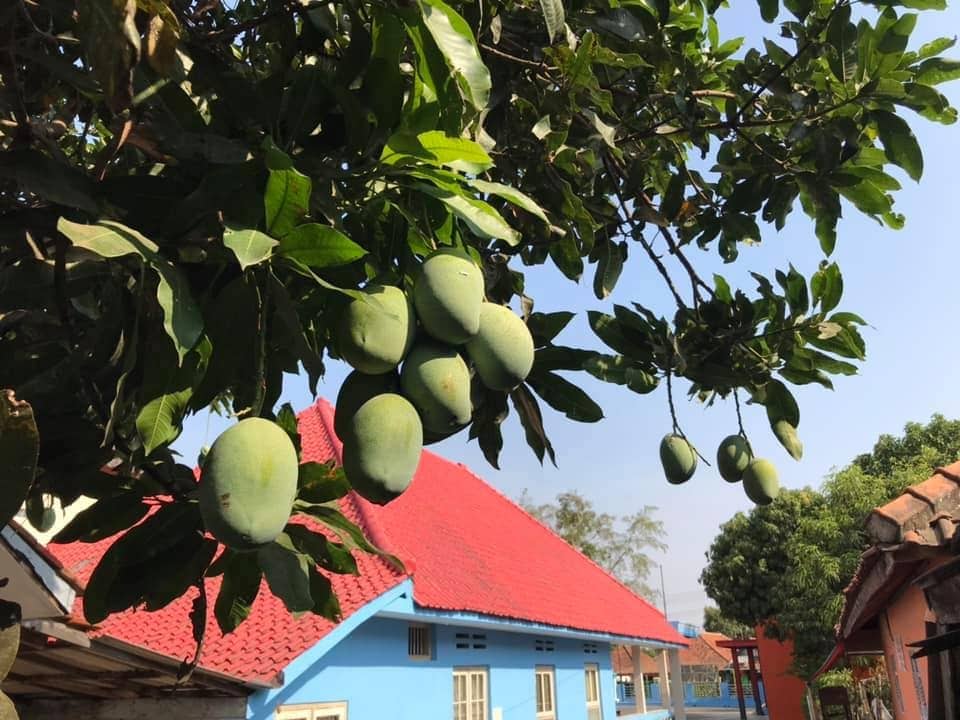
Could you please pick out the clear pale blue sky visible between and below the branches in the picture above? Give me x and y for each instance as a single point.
(904, 283)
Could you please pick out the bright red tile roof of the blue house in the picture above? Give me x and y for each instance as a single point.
(467, 547)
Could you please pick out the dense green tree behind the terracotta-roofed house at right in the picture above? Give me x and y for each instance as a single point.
(793, 570)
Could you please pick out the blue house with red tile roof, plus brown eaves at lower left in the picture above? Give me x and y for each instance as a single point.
(493, 617)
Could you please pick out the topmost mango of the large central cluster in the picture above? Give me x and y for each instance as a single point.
(448, 294)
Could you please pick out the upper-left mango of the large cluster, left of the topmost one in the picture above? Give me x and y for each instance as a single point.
(374, 335)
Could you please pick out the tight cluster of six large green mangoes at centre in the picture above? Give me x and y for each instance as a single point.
(414, 358)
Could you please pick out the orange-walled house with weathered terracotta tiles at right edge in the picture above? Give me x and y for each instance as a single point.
(903, 602)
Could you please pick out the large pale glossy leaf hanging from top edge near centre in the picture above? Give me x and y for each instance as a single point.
(455, 40)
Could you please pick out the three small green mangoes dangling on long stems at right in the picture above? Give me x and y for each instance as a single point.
(735, 462)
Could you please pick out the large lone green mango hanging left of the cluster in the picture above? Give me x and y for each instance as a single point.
(248, 484)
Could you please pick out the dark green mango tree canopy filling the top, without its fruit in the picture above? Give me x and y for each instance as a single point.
(190, 192)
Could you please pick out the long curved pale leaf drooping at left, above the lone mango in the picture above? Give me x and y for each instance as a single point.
(181, 315)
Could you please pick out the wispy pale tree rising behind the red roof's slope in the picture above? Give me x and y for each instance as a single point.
(619, 544)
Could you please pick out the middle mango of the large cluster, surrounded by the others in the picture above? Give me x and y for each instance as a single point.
(437, 381)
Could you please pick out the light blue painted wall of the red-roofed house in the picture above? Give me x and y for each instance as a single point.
(370, 669)
